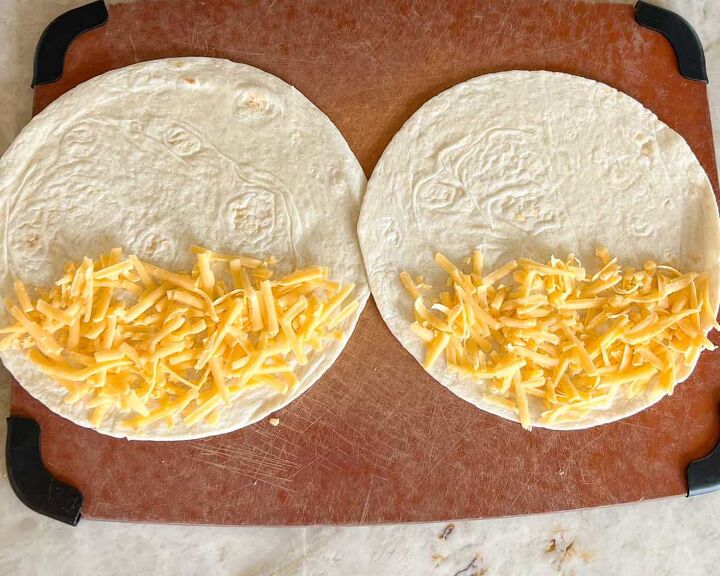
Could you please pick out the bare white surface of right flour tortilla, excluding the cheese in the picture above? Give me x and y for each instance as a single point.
(531, 164)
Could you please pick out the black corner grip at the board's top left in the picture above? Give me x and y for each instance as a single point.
(59, 34)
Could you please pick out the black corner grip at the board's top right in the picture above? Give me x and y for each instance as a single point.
(682, 36)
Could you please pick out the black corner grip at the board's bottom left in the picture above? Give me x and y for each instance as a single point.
(31, 482)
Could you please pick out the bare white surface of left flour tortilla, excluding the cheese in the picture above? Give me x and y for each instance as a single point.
(161, 155)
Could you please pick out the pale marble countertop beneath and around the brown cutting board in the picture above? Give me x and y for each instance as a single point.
(677, 536)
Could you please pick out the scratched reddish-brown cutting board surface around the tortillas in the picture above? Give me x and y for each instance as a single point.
(376, 439)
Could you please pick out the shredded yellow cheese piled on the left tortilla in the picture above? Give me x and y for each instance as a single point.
(152, 345)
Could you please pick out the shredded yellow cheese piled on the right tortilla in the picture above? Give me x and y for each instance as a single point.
(550, 333)
